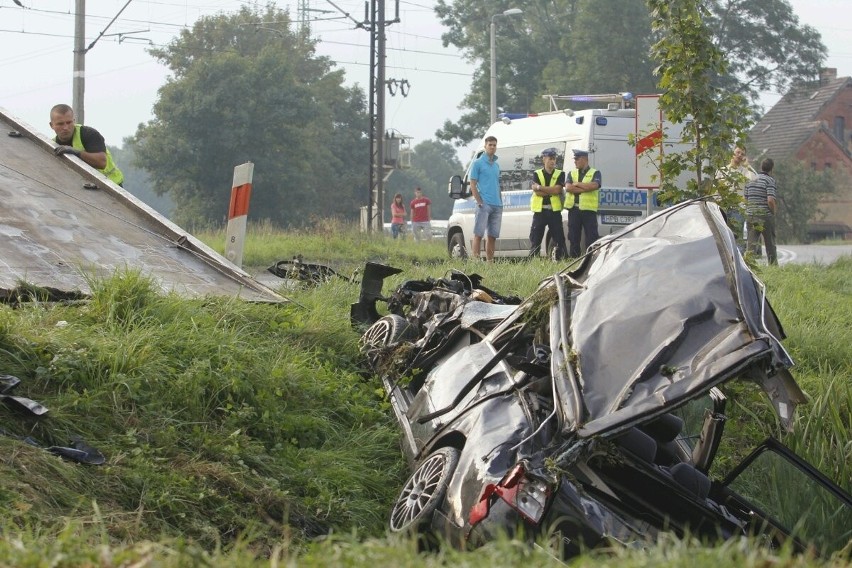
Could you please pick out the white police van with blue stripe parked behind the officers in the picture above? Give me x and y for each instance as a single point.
(520, 139)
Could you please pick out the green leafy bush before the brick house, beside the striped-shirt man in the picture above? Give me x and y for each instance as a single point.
(800, 190)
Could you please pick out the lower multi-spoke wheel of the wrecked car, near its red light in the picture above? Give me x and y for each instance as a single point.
(424, 491)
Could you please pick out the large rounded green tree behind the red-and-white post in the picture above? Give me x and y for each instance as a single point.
(245, 87)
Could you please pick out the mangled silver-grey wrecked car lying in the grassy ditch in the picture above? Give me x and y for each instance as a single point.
(592, 412)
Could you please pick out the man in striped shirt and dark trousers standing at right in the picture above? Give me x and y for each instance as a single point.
(760, 211)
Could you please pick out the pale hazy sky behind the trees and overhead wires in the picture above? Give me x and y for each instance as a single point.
(121, 81)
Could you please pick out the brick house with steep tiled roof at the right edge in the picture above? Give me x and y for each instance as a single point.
(813, 124)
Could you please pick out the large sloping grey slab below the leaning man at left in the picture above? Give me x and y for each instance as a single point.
(57, 234)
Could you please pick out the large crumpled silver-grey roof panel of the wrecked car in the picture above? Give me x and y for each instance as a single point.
(660, 312)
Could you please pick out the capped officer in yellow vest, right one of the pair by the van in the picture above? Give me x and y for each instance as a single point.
(583, 185)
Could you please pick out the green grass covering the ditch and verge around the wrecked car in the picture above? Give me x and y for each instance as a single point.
(248, 434)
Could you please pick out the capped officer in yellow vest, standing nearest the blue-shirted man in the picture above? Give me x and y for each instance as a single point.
(546, 204)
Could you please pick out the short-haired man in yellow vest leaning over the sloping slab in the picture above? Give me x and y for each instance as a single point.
(82, 141)
